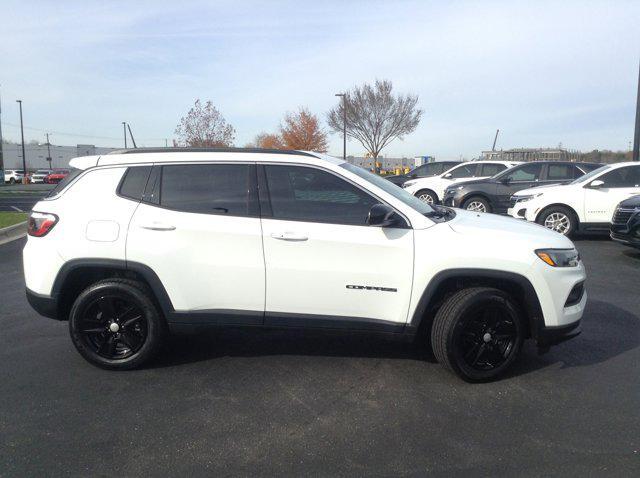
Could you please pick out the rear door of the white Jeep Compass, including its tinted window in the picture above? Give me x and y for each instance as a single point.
(198, 229)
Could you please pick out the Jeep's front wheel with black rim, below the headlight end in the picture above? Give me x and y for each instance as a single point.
(477, 333)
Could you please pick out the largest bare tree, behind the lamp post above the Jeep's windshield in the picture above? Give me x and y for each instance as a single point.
(375, 116)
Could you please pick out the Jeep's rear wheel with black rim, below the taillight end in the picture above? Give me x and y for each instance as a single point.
(116, 325)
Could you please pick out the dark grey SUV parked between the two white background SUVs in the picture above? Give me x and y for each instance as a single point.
(494, 194)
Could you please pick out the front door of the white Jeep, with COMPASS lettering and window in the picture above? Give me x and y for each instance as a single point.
(324, 265)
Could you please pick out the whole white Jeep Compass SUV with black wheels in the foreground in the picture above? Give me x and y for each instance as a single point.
(137, 243)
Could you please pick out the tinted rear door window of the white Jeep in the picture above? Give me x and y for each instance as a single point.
(206, 188)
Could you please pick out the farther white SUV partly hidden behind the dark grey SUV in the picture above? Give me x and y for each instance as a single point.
(431, 190)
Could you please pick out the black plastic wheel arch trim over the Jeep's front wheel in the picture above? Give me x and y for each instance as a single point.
(447, 282)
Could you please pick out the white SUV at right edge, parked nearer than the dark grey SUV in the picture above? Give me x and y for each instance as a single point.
(586, 204)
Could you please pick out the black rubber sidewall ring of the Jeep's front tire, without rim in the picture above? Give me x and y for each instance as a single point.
(480, 301)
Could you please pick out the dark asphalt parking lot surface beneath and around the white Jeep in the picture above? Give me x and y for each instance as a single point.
(239, 402)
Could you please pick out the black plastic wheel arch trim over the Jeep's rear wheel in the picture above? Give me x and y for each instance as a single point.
(77, 274)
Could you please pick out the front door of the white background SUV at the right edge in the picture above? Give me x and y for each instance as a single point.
(619, 184)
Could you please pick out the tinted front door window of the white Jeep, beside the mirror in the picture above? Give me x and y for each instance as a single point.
(307, 194)
